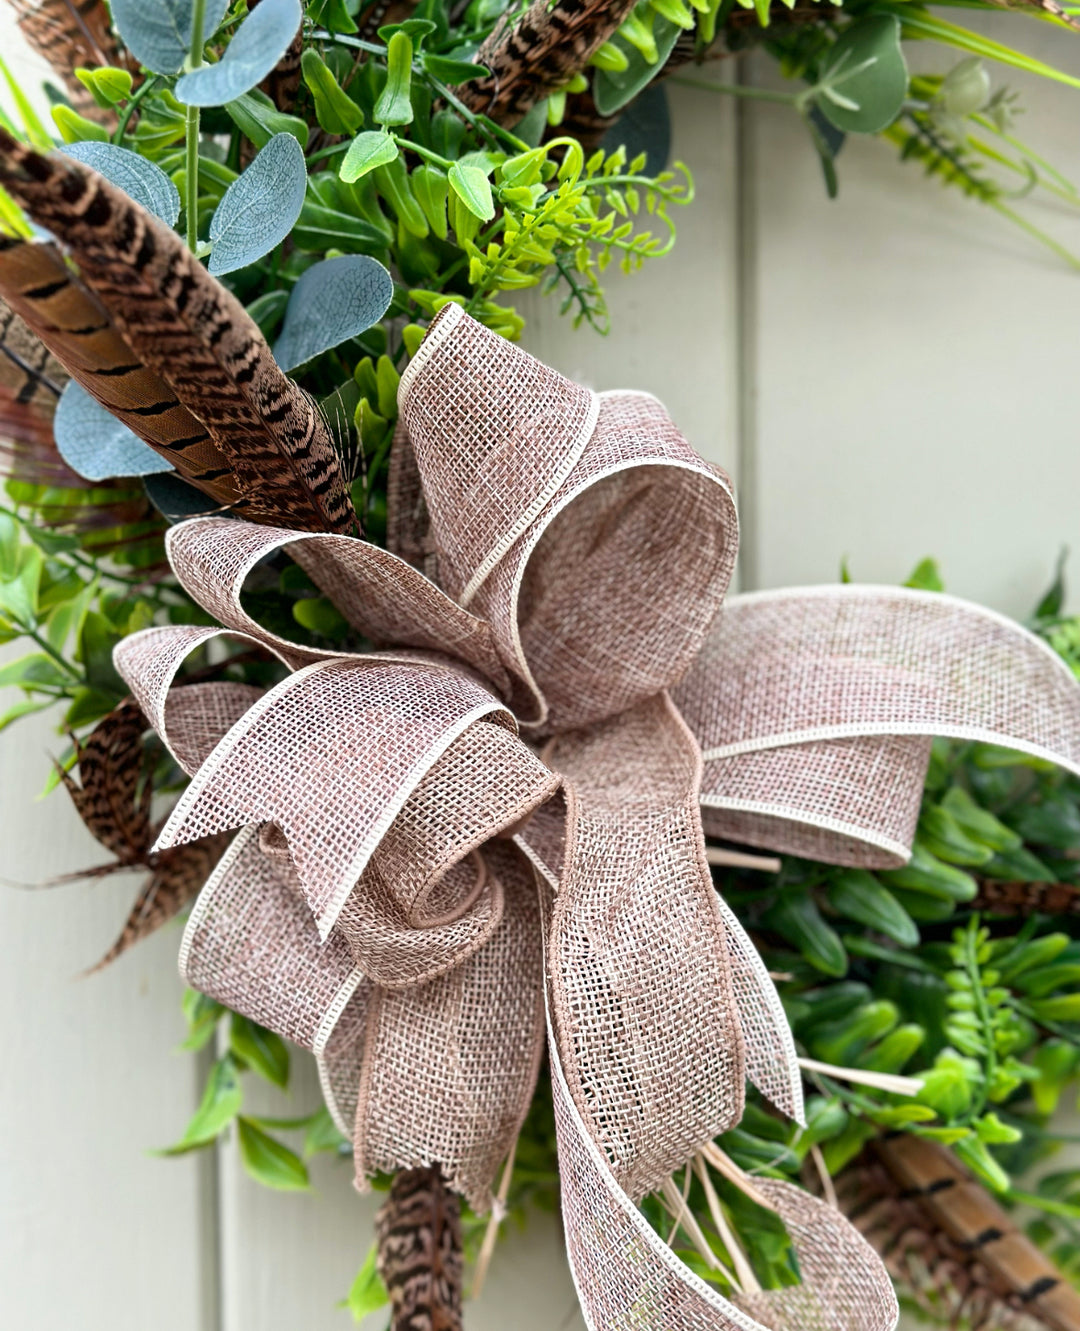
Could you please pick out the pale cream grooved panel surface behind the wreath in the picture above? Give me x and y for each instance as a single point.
(886, 376)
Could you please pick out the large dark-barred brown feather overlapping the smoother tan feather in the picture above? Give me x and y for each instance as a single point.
(194, 335)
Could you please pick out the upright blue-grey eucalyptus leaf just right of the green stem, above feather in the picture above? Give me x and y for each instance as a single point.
(260, 208)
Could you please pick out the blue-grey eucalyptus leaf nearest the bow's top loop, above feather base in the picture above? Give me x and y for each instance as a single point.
(335, 301)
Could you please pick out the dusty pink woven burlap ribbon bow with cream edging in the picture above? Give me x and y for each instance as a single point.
(552, 701)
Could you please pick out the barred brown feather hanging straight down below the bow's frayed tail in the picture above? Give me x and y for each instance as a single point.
(419, 1233)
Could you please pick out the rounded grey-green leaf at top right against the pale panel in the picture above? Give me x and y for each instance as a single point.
(864, 86)
